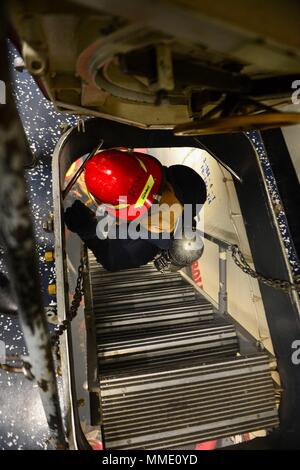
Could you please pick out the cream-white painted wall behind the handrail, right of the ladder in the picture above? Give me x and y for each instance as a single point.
(221, 217)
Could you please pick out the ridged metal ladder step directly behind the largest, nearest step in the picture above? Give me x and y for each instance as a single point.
(129, 349)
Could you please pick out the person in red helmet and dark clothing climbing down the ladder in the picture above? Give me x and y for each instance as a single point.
(134, 188)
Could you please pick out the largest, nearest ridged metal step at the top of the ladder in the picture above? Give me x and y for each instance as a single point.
(183, 406)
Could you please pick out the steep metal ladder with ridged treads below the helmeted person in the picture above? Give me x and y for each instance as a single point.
(169, 370)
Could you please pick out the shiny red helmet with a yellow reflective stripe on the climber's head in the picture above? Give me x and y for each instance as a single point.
(126, 182)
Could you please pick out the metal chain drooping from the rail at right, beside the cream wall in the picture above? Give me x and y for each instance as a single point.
(241, 262)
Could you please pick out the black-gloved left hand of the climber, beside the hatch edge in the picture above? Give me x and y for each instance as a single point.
(81, 220)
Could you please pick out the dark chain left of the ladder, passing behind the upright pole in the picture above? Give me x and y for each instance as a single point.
(23, 366)
